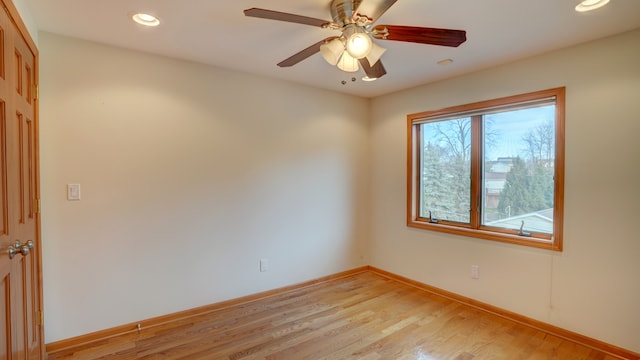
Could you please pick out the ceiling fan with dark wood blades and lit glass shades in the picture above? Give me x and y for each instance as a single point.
(355, 20)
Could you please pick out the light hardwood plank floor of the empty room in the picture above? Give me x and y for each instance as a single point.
(365, 316)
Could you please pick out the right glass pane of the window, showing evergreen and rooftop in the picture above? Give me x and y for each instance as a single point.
(518, 168)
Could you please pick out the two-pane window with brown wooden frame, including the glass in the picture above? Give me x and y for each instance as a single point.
(492, 169)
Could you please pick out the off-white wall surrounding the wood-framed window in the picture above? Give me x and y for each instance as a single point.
(592, 287)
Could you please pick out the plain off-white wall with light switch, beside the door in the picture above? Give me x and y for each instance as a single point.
(190, 174)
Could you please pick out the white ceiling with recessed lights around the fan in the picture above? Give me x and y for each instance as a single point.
(216, 32)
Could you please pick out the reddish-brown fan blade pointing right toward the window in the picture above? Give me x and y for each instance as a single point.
(431, 36)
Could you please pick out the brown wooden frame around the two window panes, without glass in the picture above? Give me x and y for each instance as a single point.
(474, 228)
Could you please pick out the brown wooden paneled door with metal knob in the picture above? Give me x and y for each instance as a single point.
(20, 289)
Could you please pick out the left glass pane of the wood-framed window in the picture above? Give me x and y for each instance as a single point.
(445, 168)
